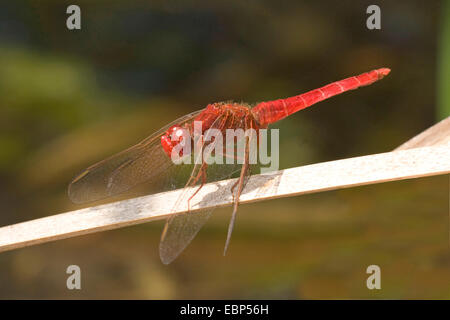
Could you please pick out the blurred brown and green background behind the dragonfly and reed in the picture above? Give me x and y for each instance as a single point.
(70, 98)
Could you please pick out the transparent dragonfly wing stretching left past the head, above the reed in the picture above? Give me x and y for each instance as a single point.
(140, 163)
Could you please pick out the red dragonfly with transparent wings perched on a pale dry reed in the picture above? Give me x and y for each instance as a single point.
(150, 160)
